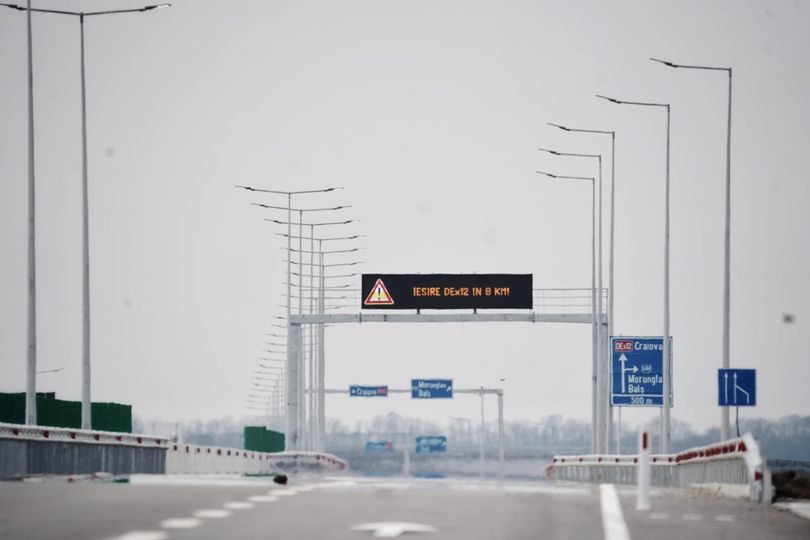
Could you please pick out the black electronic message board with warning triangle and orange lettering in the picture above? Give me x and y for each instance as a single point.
(446, 291)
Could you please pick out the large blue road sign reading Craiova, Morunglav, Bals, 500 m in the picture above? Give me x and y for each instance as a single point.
(637, 371)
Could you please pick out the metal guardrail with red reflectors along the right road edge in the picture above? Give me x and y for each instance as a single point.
(733, 462)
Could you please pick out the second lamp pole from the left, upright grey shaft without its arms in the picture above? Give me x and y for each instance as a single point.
(86, 402)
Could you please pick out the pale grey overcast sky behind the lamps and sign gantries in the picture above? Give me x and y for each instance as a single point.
(430, 114)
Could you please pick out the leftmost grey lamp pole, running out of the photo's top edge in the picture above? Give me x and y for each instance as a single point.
(31, 360)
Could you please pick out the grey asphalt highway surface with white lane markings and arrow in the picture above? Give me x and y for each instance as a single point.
(198, 507)
